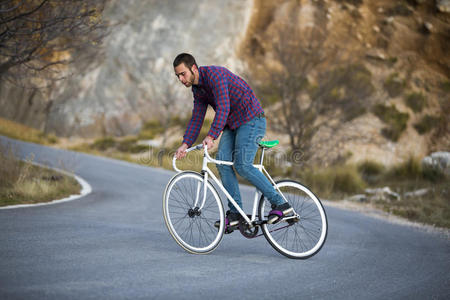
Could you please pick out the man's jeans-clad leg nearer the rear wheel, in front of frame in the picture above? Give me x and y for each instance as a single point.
(247, 138)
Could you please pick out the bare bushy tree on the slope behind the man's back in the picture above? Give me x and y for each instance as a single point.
(312, 88)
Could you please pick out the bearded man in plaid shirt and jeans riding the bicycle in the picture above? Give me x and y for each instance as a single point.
(240, 118)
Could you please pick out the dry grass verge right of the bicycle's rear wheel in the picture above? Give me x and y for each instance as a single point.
(340, 181)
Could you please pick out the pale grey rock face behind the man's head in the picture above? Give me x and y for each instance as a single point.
(134, 81)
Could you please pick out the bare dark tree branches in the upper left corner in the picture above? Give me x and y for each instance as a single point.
(40, 37)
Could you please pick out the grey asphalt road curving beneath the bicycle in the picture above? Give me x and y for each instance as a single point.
(113, 244)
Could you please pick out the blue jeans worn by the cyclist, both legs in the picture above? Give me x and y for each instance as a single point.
(240, 146)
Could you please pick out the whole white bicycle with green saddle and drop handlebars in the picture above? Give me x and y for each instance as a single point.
(191, 207)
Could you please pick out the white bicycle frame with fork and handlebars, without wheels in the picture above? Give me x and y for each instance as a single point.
(207, 172)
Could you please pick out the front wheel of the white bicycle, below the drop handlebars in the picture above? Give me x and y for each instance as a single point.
(189, 216)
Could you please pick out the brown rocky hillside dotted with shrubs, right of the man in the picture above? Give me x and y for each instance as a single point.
(386, 62)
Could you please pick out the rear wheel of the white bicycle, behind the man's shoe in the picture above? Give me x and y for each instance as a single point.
(303, 235)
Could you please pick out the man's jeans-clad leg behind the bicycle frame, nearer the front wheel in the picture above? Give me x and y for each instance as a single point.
(227, 174)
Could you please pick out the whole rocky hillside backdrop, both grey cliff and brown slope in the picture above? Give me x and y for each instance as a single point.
(380, 69)
